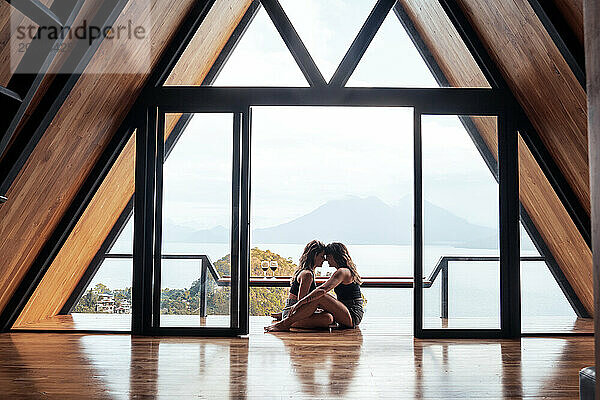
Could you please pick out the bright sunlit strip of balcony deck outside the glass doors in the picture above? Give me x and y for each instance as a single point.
(122, 322)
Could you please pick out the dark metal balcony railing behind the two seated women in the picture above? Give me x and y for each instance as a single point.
(442, 266)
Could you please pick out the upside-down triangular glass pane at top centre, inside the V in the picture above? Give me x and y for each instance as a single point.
(327, 27)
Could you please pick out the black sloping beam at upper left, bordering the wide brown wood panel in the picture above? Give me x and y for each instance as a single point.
(31, 133)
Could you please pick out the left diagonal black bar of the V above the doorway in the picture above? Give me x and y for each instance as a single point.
(294, 43)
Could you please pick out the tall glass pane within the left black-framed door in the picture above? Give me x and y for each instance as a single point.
(196, 218)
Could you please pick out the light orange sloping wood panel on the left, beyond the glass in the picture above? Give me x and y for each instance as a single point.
(116, 190)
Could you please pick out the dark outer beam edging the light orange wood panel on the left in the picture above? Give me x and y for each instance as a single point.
(171, 141)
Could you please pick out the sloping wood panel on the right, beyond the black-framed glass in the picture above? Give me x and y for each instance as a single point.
(537, 196)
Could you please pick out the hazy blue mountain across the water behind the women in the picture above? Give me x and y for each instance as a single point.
(356, 220)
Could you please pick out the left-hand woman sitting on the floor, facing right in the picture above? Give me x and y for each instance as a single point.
(303, 281)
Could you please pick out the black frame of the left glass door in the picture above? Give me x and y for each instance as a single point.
(148, 232)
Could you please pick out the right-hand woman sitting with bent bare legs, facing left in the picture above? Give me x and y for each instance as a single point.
(346, 310)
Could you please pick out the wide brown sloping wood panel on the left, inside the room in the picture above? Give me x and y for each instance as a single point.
(72, 144)
